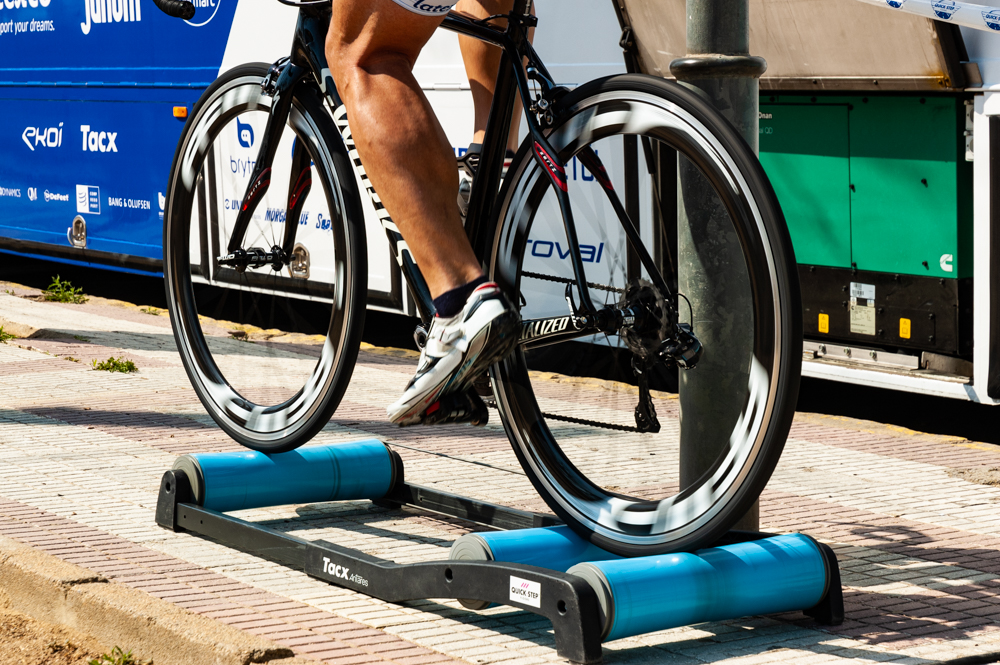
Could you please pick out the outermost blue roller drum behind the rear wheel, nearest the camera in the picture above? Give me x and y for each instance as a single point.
(647, 594)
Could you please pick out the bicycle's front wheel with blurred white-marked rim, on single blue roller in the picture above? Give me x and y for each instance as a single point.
(271, 396)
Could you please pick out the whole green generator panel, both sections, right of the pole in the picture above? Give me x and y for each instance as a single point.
(908, 188)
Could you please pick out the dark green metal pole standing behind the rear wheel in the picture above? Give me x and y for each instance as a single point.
(711, 270)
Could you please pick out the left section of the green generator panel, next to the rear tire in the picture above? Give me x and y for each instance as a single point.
(804, 149)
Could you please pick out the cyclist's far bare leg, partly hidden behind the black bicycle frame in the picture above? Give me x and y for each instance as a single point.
(481, 64)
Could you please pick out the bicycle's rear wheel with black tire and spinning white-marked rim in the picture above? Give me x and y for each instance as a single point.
(569, 406)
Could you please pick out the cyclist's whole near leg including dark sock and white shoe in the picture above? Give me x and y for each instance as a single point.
(371, 48)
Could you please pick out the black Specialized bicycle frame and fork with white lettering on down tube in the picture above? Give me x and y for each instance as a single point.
(308, 57)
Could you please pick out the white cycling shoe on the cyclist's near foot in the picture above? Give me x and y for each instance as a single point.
(459, 349)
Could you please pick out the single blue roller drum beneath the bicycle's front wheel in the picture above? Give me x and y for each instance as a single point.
(248, 479)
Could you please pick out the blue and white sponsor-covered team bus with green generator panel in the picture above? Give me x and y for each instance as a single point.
(876, 129)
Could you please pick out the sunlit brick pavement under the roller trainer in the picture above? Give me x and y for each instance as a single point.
(81, 453)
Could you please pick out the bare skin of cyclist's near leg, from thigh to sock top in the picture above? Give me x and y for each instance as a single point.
(371, 48)
